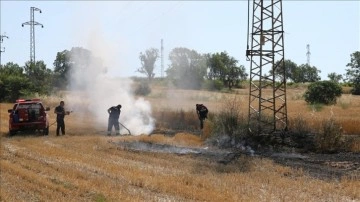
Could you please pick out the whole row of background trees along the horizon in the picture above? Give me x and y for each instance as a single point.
(188, 69)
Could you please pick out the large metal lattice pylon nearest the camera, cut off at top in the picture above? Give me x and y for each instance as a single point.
(267, 97)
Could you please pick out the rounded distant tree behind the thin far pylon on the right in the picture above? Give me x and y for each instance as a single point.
(306, 73)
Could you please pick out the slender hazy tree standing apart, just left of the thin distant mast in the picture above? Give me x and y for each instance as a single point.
(148, 60)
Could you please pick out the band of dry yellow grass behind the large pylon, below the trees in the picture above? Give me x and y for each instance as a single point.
(346, 111)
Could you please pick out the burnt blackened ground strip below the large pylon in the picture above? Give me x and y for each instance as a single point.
(320, 166)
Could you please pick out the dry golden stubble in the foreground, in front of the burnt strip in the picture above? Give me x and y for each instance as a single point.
(91, 168)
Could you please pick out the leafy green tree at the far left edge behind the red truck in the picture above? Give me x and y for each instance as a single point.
(13, 82)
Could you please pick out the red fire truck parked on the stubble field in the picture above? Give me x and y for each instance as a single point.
(29, 115)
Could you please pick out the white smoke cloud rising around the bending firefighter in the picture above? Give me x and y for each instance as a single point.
(100, 90)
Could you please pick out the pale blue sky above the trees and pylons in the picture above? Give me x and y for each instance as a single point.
(119, 30)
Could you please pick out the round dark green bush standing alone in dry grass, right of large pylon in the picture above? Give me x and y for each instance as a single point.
(324, 92)
